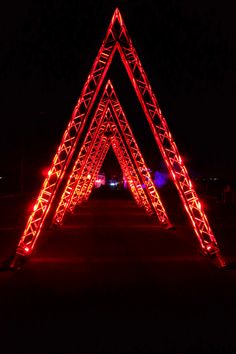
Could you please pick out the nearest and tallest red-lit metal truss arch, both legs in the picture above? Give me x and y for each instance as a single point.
(118, 40)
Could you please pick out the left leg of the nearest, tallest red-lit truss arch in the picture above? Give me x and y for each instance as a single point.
(69, 141)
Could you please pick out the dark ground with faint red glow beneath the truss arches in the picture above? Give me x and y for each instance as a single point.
(112, 281)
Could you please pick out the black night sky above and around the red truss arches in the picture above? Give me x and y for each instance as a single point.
(187, 49)
